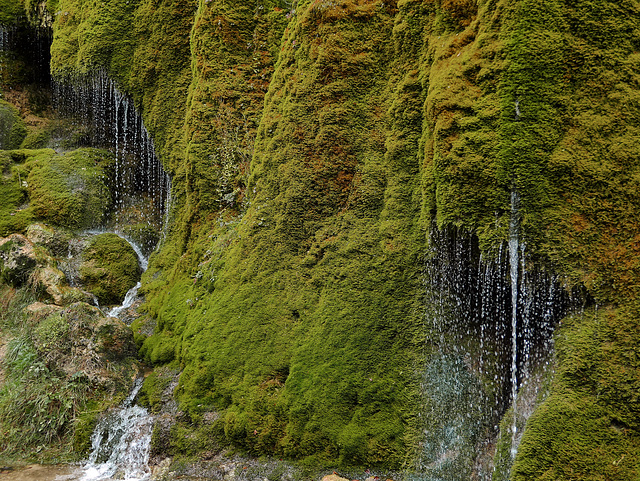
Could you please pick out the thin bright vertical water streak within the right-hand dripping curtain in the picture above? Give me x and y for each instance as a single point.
(514, 262)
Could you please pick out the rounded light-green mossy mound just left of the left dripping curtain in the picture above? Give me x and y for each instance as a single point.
(70, 190)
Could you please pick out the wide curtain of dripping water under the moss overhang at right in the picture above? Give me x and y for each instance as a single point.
(490, 321)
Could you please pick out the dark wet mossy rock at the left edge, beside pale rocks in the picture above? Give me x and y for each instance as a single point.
(17, 259)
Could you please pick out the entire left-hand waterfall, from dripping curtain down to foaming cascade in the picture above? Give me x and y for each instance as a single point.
(120, 442)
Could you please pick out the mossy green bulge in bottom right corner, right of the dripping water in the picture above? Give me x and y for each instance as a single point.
(588, 427)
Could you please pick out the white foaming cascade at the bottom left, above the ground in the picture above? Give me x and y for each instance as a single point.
(120, 443)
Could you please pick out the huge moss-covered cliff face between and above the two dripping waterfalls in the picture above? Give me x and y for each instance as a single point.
(312, 148)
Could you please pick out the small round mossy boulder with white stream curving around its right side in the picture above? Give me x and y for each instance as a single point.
(109, 268)
